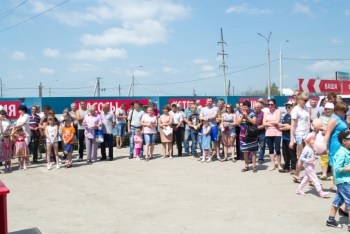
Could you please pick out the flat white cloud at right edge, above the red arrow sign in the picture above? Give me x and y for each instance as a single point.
(329, 66)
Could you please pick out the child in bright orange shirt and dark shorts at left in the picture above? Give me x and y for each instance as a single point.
(68, 132)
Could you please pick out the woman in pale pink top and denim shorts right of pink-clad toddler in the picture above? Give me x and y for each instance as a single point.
(149, 123)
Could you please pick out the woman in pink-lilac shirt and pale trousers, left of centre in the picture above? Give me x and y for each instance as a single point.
(91, 122)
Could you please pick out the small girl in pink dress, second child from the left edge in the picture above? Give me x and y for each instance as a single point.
(21, 148)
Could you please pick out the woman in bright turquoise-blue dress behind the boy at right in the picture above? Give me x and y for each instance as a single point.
(336, 124)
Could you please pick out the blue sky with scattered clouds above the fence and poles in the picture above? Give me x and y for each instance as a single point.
(173, 41)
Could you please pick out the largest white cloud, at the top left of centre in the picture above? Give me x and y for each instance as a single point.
(142, 22)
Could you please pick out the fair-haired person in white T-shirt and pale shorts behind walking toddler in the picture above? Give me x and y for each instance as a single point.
(299, 128)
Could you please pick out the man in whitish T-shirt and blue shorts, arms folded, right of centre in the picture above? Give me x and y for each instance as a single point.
(210, 113)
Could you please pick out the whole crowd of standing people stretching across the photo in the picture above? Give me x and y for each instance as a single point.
(292, 138)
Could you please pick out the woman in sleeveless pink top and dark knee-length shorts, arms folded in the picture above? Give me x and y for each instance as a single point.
(273, 134)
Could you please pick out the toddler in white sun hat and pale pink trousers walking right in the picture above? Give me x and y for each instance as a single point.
(308, 157)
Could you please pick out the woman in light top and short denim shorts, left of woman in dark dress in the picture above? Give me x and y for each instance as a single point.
(228, 131)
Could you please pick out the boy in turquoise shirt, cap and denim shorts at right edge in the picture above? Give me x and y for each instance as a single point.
(341, 168)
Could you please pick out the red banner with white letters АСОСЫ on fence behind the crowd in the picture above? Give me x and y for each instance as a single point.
(113, 104)
